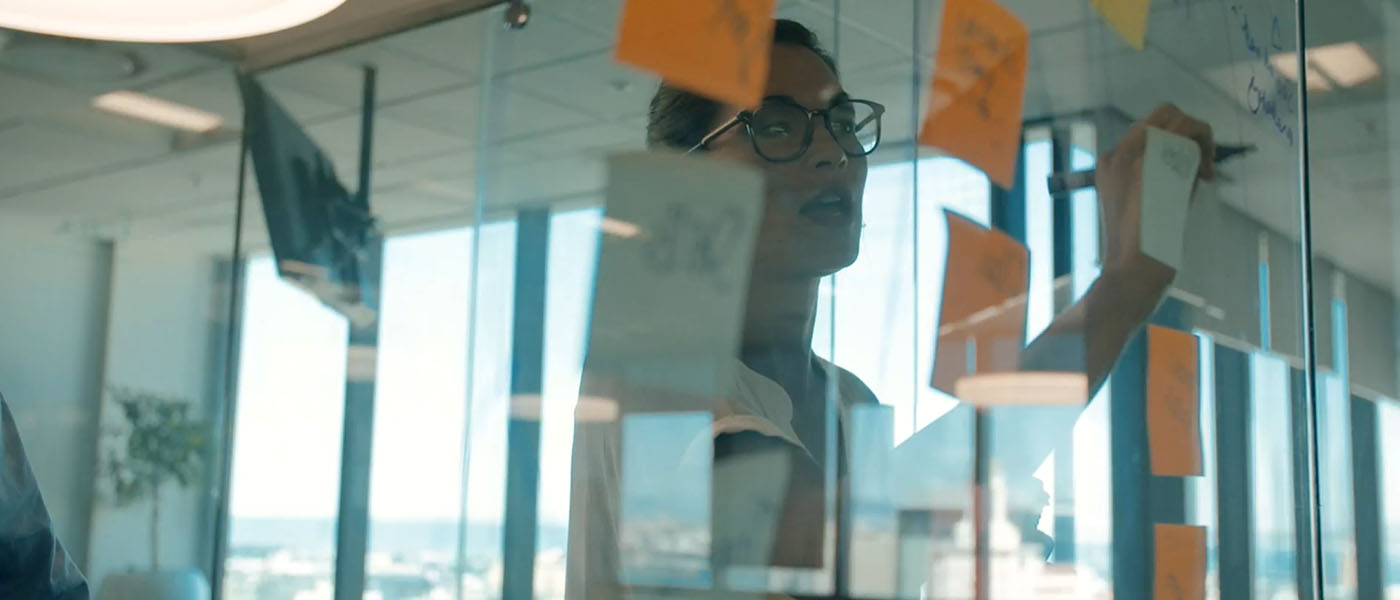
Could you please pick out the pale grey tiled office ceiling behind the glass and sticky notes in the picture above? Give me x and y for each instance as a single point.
(558, 104)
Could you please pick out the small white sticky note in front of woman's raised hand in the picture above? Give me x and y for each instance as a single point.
(1170, 167)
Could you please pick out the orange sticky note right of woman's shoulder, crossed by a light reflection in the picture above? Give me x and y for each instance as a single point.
(983, 320)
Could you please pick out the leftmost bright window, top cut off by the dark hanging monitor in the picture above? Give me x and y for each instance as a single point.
(286, 466)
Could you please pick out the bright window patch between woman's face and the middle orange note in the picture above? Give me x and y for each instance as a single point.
(884, 311)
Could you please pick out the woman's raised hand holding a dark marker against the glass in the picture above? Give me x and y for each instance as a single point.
(1121, 190)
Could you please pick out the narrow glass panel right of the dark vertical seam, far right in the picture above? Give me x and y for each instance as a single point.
(1350, 152)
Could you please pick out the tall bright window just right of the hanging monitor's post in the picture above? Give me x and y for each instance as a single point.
(419, 422)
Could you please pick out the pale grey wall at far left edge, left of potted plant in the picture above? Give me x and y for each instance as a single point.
(52, 321)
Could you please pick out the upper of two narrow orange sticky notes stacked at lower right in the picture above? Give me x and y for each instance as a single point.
(1174, 427)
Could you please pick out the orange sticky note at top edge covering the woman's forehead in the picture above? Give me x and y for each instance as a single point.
(716, 48)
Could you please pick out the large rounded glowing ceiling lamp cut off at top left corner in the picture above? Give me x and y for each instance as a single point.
(160, 20)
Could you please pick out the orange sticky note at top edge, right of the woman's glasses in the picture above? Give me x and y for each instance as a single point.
(979, 87)
